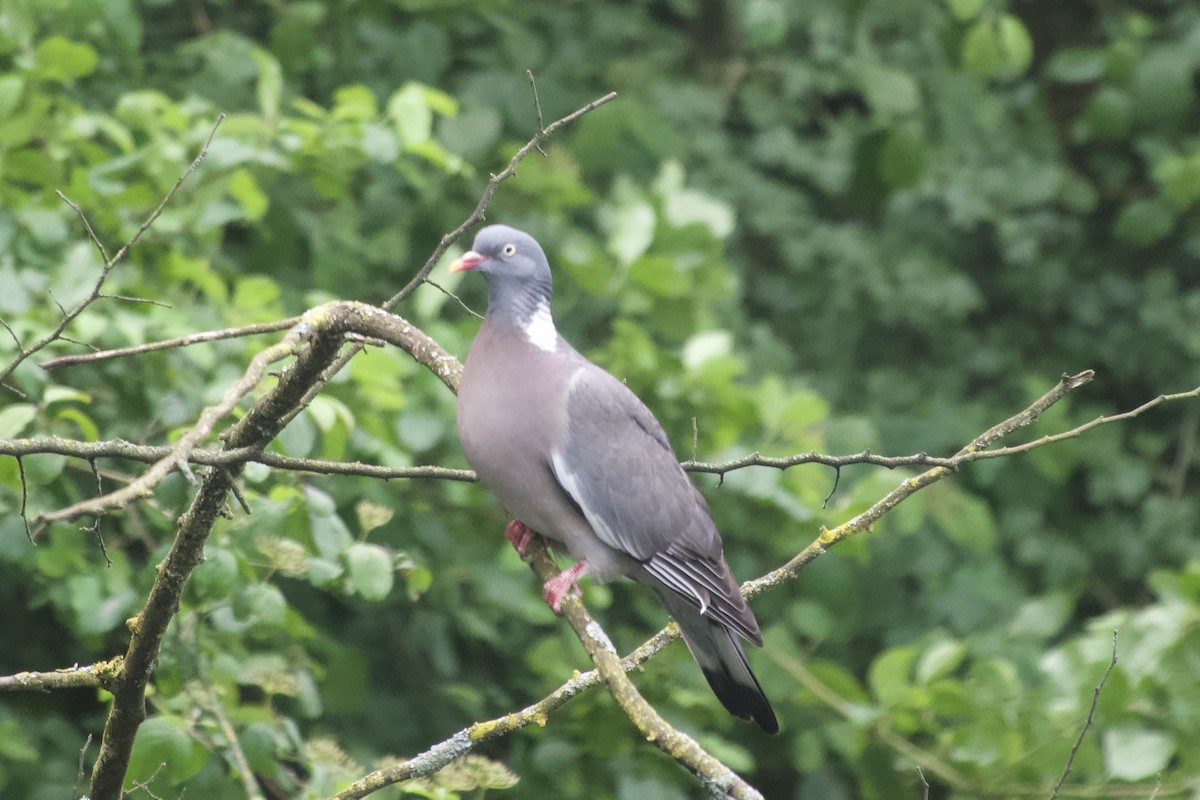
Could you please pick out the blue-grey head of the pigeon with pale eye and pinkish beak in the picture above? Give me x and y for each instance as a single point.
(517, 270)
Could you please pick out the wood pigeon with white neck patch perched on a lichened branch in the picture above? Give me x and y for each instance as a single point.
(575, 456)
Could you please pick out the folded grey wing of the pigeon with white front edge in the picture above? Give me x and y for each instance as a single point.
(616, 464)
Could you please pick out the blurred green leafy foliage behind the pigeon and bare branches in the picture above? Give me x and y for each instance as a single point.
(880, 225)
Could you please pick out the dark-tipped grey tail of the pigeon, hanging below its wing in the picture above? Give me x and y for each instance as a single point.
(721, 657)
